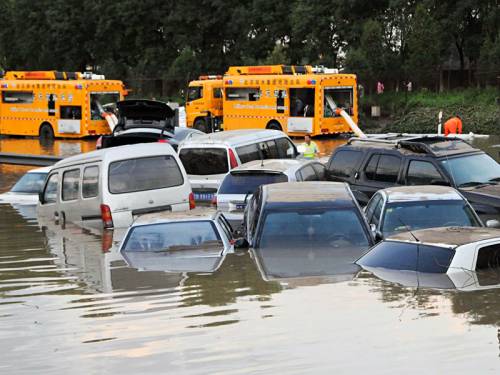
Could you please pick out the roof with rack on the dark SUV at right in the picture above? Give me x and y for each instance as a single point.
(424, 144)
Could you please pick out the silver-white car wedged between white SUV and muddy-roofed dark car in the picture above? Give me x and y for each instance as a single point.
(240, 183)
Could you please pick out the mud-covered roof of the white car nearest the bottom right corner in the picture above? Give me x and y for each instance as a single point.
(448, 236)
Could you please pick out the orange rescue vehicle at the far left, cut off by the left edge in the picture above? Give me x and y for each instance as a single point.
(56, 104)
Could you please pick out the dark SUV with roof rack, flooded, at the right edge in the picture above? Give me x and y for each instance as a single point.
(377, 163)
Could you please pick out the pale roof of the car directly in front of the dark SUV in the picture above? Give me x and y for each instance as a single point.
(421, 193)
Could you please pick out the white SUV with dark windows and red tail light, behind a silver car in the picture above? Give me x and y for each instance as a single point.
(208, 158)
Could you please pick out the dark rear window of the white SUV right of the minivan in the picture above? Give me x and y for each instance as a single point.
(204, 161)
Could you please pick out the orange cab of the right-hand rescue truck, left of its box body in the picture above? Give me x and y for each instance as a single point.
(204, 103)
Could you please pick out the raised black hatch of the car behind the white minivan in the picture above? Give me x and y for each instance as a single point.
(144, 110)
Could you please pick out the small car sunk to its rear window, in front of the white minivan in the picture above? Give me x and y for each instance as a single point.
(193, 231)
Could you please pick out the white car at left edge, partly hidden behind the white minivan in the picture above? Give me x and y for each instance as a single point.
(26, 189)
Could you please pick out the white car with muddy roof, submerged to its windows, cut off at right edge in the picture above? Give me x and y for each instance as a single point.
(437, 250)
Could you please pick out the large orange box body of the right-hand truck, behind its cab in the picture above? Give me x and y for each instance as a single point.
(296, 99)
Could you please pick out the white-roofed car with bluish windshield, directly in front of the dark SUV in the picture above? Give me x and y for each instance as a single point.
(403, 208)
